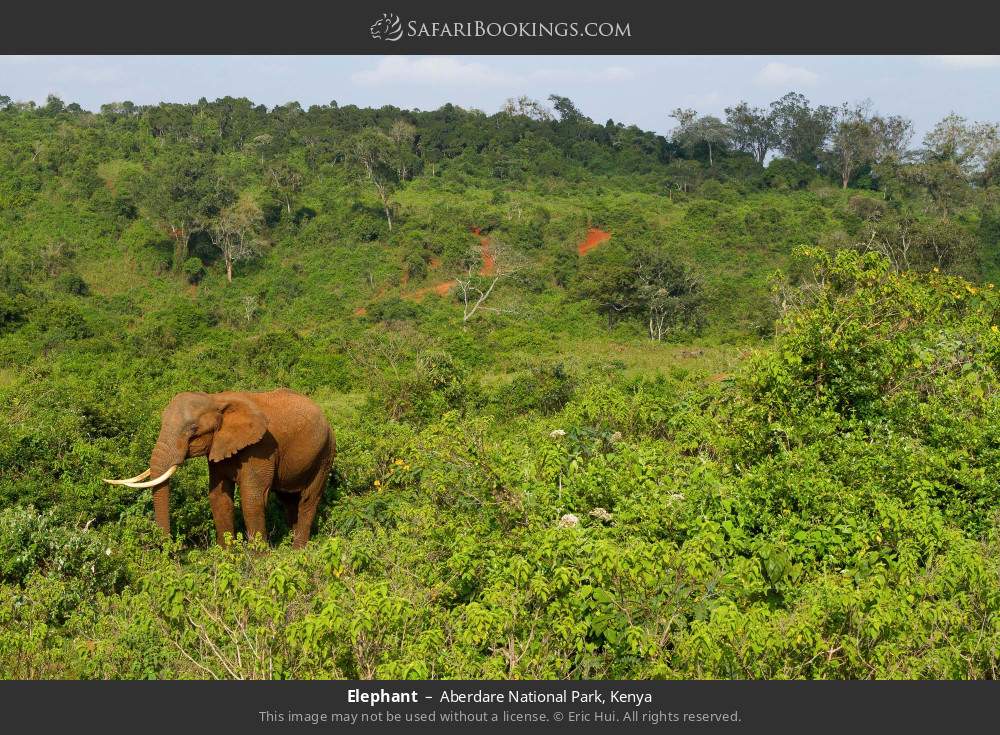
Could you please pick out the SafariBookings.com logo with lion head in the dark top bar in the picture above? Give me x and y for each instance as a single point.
(390, 28)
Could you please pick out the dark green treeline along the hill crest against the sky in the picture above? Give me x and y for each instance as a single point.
(851, 144)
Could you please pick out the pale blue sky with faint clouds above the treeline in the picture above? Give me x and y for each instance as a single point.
(629, 89)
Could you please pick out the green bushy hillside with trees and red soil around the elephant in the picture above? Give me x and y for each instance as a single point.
(722, 403)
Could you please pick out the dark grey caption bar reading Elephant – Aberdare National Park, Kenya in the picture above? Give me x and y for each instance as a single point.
(771, 707)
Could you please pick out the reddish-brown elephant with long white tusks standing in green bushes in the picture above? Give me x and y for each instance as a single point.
(279, 440)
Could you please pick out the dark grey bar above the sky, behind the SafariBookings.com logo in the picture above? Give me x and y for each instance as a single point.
(334, 27)
